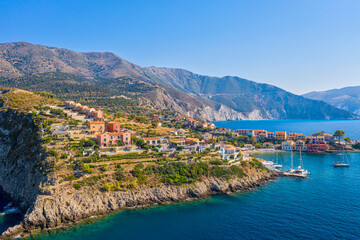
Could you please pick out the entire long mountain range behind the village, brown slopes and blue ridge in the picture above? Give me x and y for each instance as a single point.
(106, 76)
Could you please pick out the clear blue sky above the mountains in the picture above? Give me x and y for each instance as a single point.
(299, 45)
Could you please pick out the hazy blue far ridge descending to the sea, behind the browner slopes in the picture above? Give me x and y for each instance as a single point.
(252, 99)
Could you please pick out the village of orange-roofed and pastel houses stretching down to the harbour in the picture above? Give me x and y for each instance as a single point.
(196, 137)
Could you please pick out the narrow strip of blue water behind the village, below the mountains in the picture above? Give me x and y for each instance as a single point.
(351, 127)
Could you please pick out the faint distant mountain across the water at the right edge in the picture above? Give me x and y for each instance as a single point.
(347, 98)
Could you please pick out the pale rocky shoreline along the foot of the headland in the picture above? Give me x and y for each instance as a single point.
(43, 215)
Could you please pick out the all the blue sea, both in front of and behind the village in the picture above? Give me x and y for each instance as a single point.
(324, 206)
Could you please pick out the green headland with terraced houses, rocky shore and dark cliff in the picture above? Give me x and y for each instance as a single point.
(64, 162)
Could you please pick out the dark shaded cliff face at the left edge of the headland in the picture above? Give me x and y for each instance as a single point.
(22, 160)
